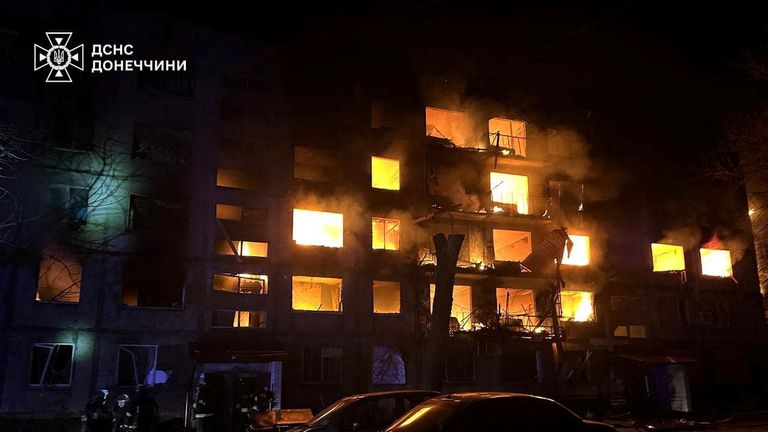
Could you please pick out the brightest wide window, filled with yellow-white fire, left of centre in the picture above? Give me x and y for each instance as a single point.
(317, 228)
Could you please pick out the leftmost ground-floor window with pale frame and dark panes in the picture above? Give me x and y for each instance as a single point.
(51, 364)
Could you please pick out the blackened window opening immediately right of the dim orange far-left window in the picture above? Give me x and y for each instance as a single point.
(154, 279)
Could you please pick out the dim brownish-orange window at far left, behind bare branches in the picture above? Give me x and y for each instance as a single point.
(59, 277)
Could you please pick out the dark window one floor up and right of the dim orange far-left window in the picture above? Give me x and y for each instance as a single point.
(156, 215)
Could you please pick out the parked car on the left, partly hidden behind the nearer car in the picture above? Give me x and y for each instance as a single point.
(369, 412)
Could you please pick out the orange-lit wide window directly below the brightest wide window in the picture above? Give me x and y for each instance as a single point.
(316, 294)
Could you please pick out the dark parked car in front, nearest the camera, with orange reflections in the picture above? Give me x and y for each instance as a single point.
(469, 412)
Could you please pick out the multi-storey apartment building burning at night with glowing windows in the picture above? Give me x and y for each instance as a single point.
(249, 227)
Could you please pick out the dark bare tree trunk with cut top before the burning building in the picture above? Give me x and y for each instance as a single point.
(447, 251)
